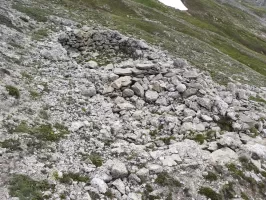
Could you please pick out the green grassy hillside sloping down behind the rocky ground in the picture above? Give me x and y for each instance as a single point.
(219, 38)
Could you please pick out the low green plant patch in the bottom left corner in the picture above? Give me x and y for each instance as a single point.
(25, 188)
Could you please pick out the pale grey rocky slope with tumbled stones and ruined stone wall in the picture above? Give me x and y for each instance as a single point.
(88, 113)
